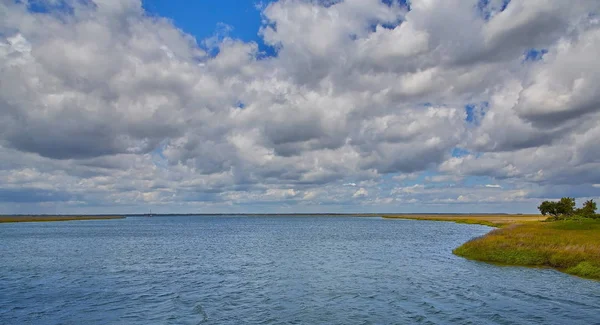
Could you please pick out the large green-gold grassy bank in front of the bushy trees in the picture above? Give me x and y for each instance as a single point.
(569, 246)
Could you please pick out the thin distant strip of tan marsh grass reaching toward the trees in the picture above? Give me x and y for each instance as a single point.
(493, 220)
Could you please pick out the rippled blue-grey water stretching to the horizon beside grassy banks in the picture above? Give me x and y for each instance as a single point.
(284, 270)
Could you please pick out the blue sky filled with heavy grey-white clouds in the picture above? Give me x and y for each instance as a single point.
(235, 106)
